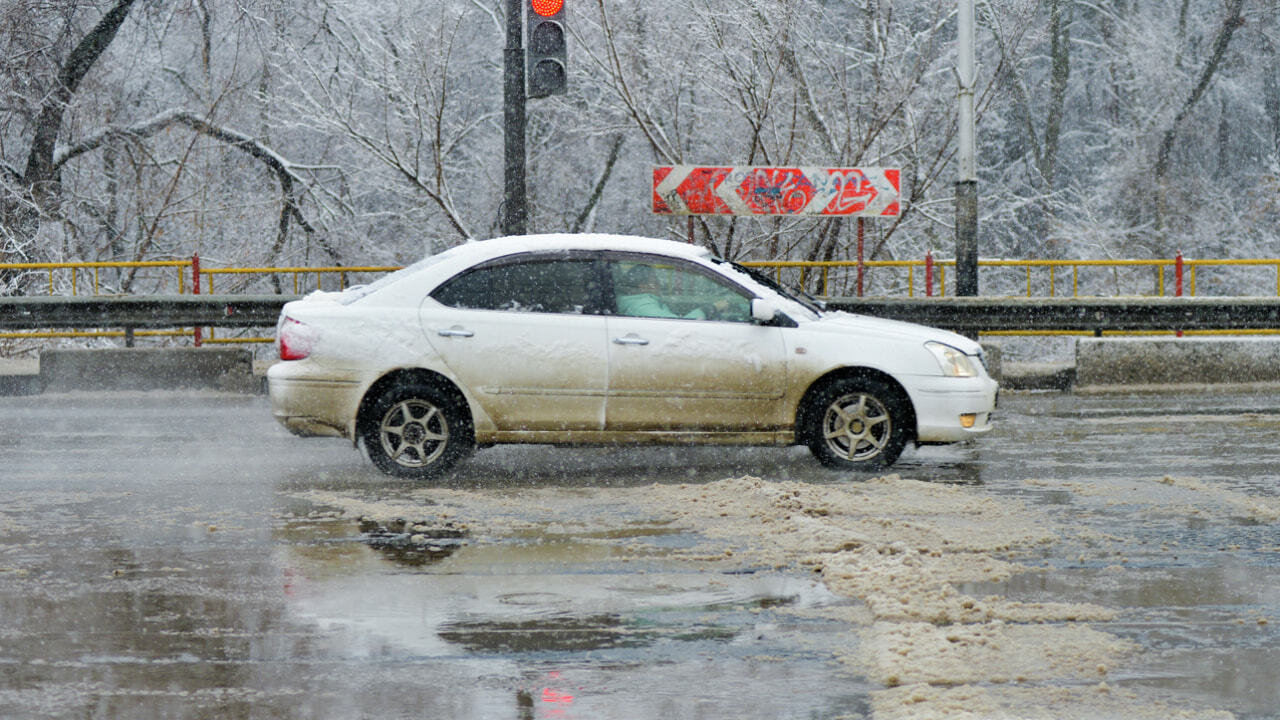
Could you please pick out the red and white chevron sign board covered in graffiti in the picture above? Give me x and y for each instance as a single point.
(701, 190)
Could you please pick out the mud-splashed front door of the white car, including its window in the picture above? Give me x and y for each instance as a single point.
(684, 353)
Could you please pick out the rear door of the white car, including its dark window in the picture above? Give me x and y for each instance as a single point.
(527, 339)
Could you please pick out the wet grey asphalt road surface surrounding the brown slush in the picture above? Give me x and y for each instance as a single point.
(156, 563)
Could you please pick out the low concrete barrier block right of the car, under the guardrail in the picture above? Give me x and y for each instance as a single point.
(1187, 361)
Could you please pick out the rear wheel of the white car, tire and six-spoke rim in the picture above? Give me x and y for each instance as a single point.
(417, 431)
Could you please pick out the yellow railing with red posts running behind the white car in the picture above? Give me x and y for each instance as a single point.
(1036, 279)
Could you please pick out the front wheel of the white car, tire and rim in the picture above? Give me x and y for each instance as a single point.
(857, 425)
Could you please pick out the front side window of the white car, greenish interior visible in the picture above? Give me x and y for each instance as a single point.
(659, 289)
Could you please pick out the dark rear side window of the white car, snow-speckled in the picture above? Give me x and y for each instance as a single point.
(532, 286)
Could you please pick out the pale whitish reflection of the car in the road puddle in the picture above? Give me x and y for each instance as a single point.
(529, 595)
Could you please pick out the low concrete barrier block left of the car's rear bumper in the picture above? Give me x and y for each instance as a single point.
(184, 368)
